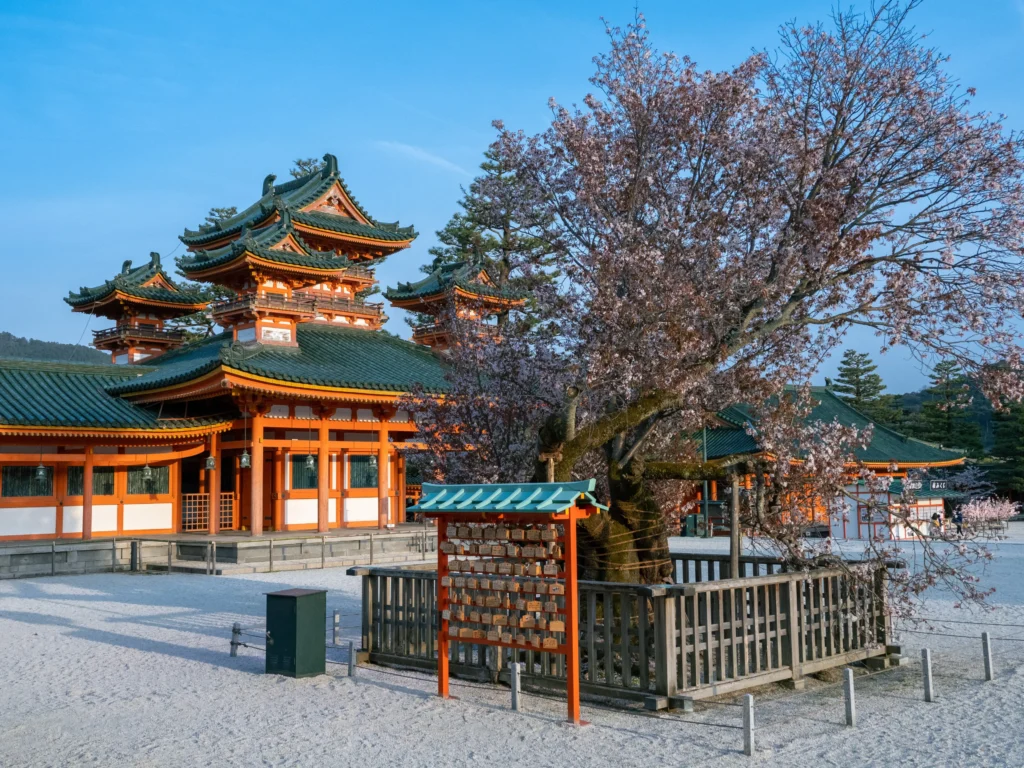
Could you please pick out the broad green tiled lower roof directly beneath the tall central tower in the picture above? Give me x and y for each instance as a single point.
(327, 356)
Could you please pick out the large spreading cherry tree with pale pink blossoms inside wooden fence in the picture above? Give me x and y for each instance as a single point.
(716, 234)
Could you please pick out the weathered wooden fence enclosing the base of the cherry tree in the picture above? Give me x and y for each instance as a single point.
(661, 645)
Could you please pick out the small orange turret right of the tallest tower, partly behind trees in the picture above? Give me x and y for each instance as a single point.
(452, 294)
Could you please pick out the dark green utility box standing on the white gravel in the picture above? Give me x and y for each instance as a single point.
(295, 633)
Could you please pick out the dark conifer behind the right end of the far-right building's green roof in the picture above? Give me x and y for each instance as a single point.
(946, 418)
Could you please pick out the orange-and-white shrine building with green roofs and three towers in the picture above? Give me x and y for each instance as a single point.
(287, 420)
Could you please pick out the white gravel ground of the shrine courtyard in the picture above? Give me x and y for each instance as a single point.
(135, 670)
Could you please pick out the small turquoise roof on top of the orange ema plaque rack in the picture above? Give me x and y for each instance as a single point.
(513, 498)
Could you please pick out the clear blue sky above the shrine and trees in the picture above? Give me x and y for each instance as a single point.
(121, 123)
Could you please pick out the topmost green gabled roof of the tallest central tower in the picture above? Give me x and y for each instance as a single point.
(291, 197)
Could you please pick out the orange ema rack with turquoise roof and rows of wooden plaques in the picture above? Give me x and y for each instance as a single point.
(507, 570)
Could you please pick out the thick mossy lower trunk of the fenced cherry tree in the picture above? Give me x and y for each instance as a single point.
(630, 543)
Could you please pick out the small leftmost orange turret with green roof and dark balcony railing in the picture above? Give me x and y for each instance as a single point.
(140, 301)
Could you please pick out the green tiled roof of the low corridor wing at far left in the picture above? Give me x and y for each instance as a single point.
(68, 395)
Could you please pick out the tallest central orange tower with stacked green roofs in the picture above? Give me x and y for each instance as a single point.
(303, 253)
